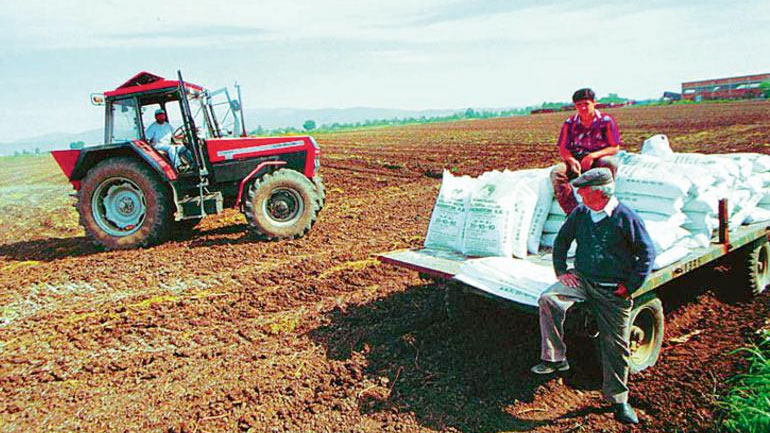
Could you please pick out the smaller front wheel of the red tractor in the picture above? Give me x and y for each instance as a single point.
(282, 205)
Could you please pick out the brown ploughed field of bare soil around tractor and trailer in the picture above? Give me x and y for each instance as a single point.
(218, 331)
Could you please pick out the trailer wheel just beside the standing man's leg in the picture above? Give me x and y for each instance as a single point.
(646, 335)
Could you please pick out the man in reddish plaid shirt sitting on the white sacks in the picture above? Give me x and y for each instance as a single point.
(587, 139)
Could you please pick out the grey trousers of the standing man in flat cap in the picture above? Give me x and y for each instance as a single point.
(612, 313)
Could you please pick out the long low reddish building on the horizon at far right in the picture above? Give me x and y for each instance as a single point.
(724, 88)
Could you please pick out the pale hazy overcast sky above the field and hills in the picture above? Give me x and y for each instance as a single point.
(346, 53)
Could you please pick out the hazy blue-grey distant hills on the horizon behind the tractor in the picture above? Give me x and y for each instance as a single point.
(267, 118)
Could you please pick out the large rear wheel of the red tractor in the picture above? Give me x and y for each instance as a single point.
(123, 204)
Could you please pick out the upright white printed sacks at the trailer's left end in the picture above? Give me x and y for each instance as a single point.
(496, 214)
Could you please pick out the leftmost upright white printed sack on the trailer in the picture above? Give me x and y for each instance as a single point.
(447, 222)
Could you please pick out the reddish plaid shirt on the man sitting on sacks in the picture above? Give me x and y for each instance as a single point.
(581, 141)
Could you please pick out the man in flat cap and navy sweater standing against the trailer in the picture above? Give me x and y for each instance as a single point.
(614, 256)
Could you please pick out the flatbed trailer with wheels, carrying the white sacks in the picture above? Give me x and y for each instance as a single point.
(746, 248)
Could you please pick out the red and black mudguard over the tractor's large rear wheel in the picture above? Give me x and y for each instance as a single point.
(75, 163)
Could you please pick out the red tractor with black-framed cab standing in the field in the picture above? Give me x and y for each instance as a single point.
(131, 195)
